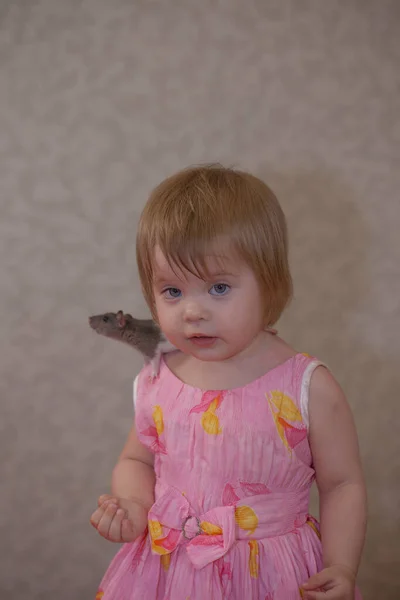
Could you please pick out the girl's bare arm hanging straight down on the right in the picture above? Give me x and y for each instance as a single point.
(343, 501)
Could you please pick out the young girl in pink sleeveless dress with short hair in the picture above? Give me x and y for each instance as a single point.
(210, 493)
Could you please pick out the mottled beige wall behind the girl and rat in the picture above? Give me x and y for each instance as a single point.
(100, 100)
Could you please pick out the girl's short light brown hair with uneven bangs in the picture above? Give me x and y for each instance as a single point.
(187, 213)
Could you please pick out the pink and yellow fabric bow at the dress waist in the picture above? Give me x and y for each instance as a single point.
(208, 537)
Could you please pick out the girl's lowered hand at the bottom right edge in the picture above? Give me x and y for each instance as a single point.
(333, 583)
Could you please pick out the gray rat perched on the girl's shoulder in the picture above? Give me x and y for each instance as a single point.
(142, 334)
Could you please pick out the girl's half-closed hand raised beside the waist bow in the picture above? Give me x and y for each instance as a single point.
(119, 519)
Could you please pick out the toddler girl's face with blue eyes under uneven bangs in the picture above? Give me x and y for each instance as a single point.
(214, 319)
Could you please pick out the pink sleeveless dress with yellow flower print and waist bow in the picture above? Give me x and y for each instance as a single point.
(233, 476)
